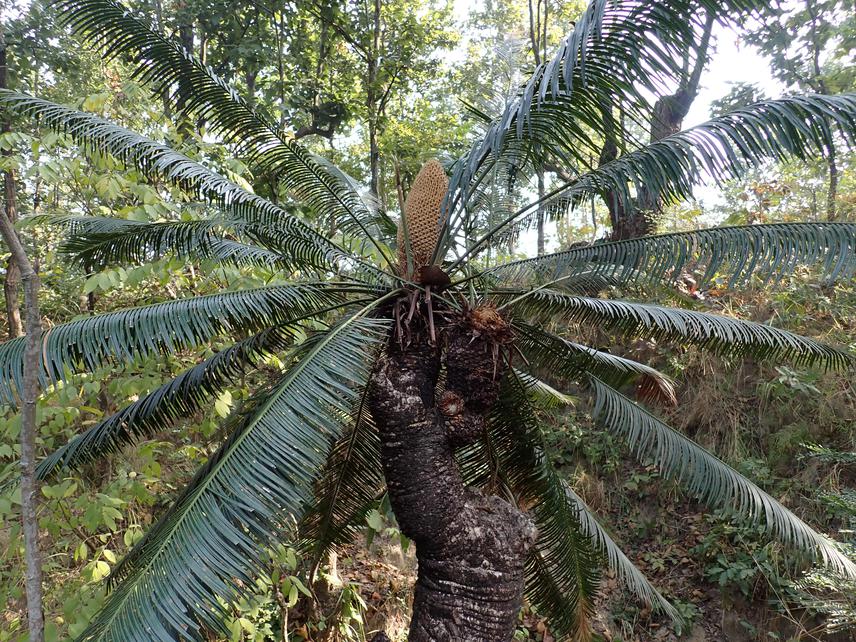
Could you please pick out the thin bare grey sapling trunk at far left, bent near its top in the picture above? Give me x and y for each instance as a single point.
(29, 486)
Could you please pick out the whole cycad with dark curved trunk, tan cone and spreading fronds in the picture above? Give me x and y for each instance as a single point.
(427, 374)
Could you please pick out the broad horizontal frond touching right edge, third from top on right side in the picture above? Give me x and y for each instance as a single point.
(770, 251)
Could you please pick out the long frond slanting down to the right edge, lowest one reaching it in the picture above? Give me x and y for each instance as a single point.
(706, 476)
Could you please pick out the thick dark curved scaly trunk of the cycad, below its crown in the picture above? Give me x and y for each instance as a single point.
(470, 547)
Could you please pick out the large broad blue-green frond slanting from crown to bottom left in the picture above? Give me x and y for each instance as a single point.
(211, 542)
